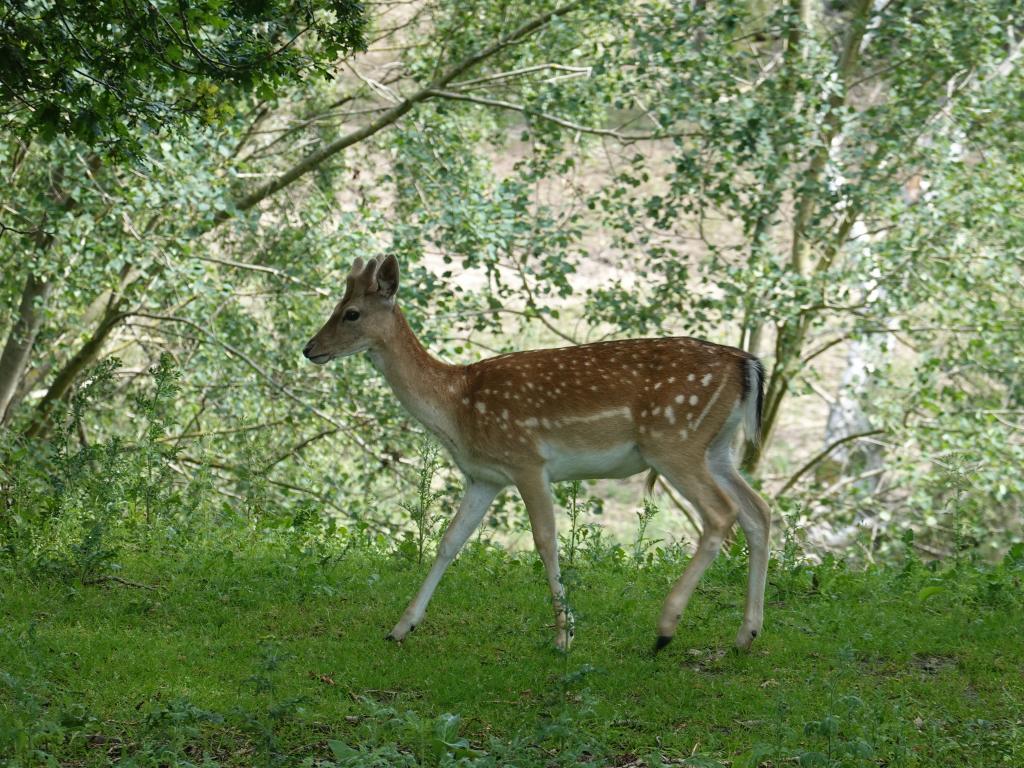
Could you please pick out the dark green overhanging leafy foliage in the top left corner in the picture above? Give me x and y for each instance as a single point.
(107, 72)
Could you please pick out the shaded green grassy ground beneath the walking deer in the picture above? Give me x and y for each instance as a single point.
(273, 656)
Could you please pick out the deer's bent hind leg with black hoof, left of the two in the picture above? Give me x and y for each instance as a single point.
(718, 514)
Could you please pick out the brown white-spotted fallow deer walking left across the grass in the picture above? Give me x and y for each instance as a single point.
(614, 409)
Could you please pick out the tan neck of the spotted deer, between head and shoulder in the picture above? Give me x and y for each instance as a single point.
(426, 387)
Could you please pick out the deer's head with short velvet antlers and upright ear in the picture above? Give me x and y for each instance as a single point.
(365, 317)
